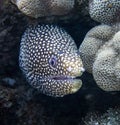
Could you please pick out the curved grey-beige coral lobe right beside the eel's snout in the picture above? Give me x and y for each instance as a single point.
(93, 40)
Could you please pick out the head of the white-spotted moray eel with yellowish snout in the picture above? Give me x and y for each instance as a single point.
(50, 60)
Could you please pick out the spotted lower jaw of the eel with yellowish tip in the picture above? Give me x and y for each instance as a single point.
(59, 86)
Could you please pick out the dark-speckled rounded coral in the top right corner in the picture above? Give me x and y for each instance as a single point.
(105, 11)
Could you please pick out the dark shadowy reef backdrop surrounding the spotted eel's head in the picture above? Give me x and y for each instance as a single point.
(20, 104)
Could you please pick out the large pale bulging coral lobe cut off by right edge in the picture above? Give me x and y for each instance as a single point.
(106, 68)
